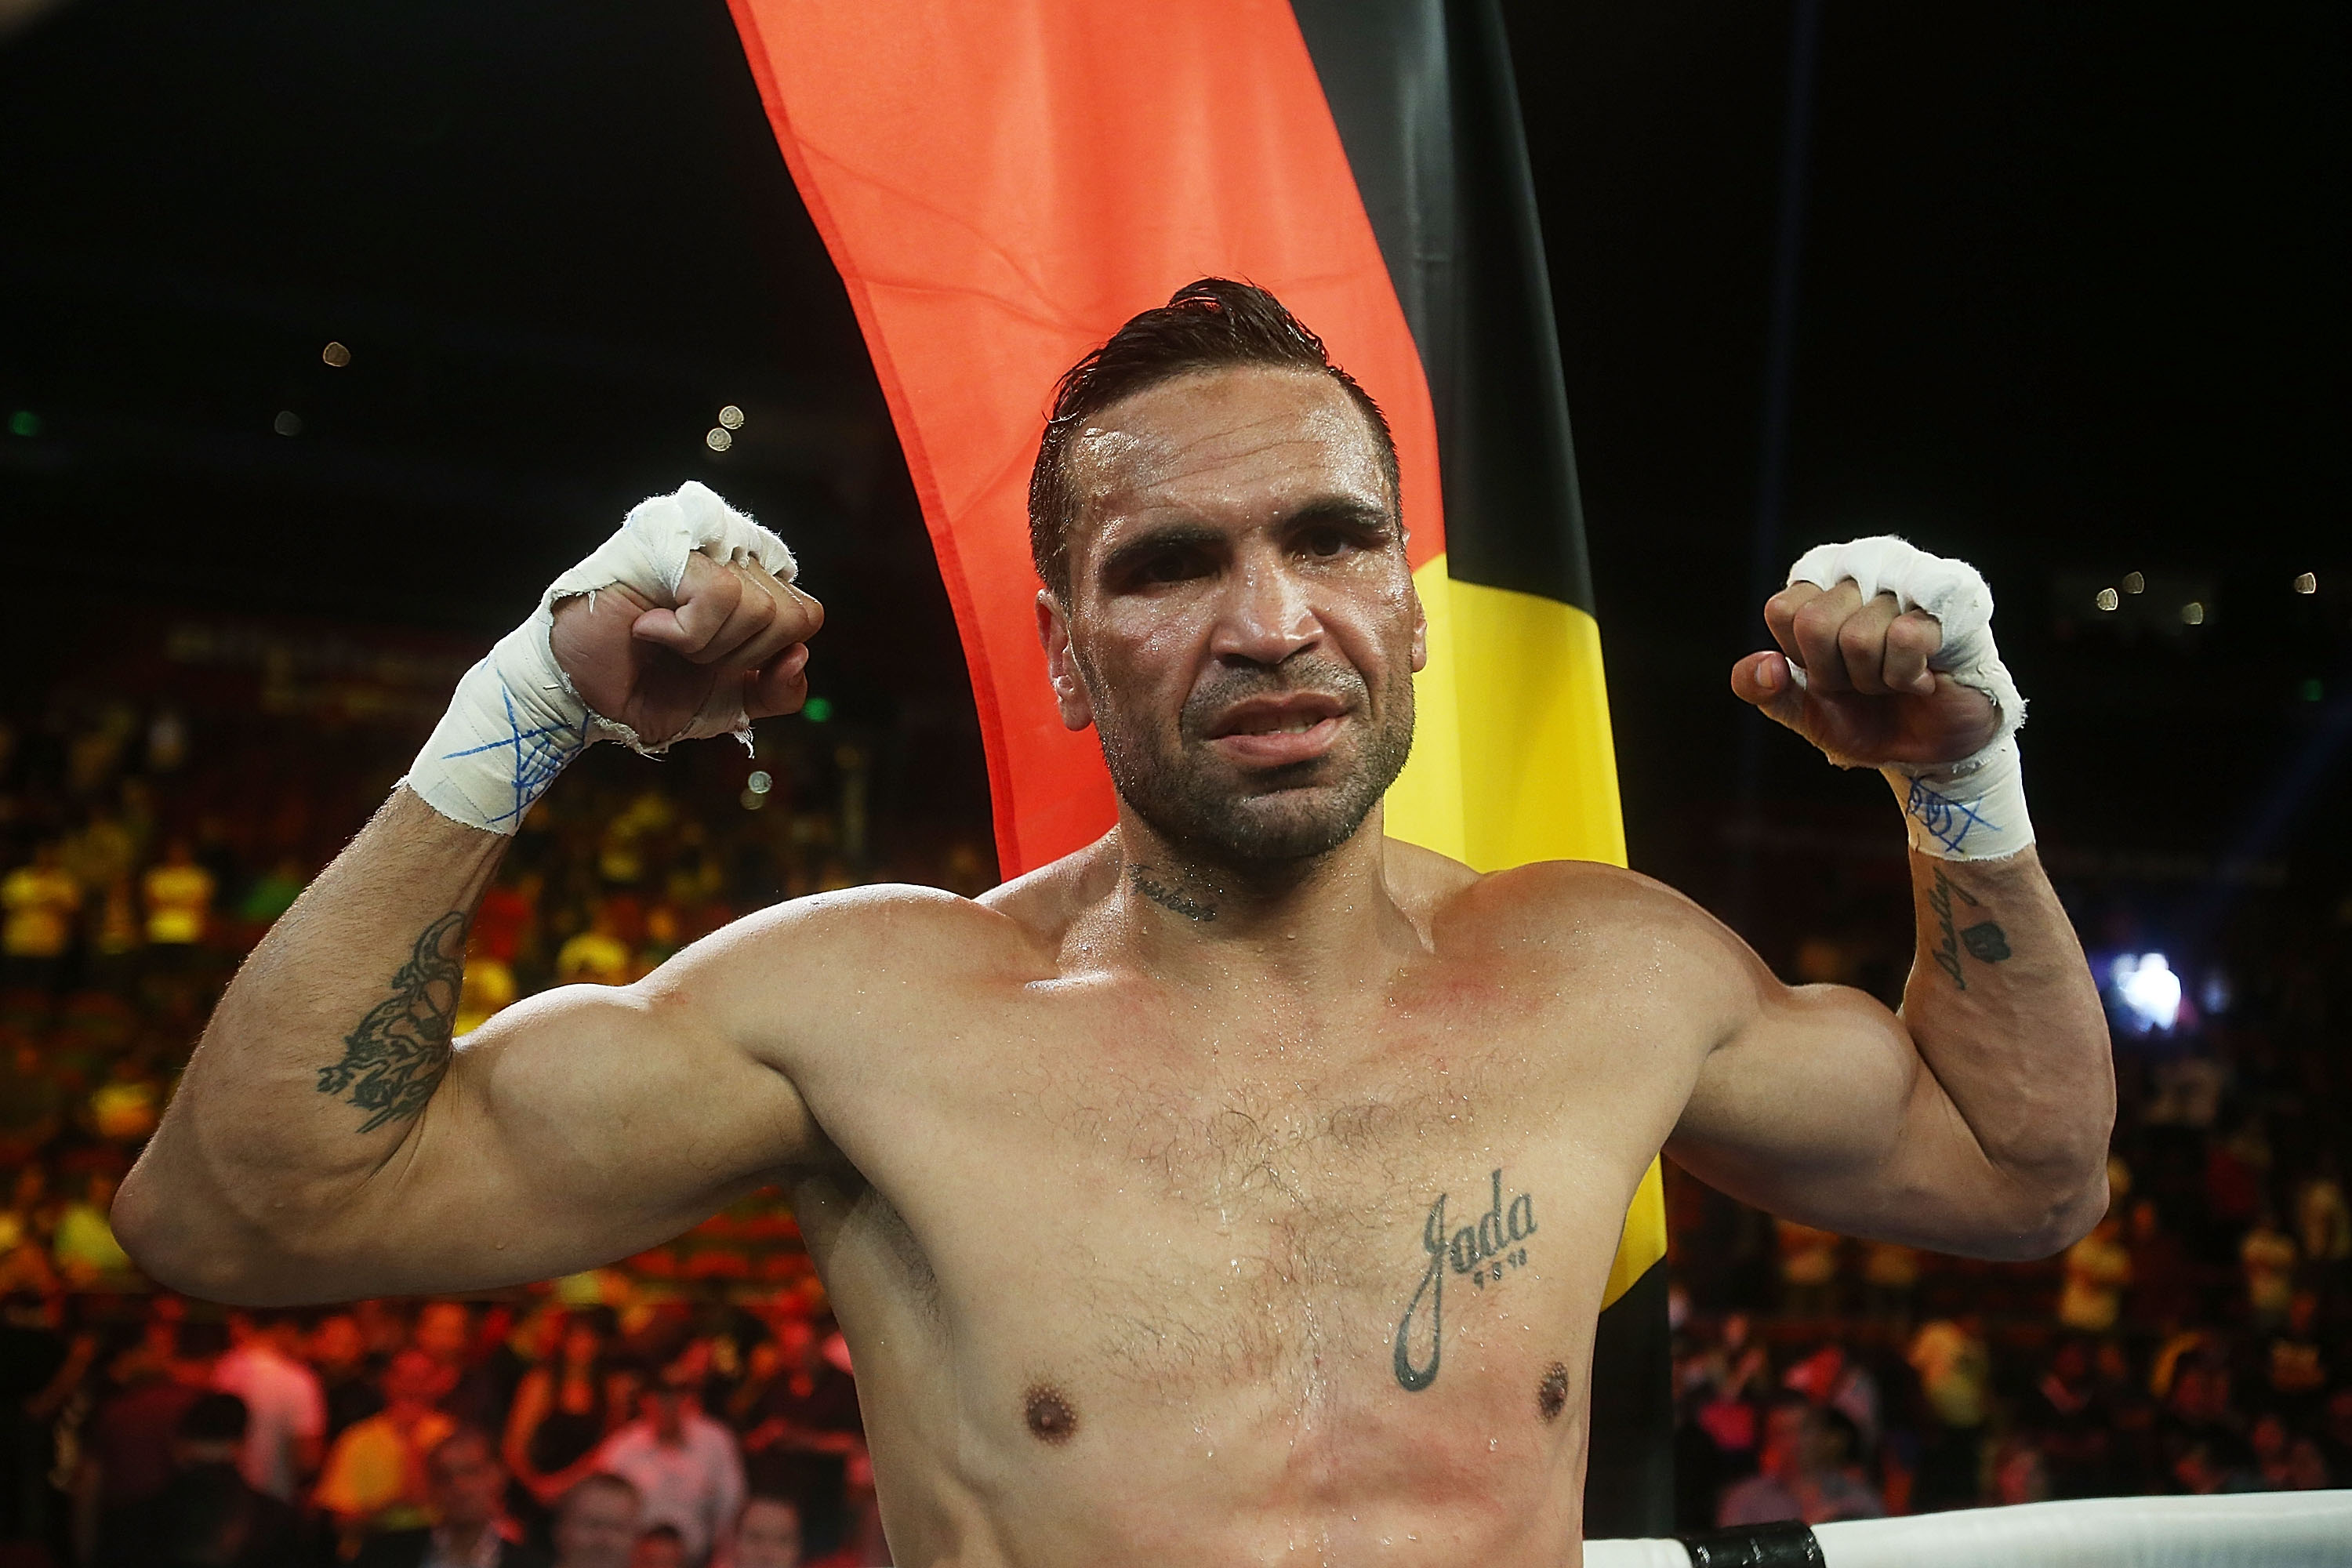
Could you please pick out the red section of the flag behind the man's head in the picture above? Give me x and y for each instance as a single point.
(1001, 187)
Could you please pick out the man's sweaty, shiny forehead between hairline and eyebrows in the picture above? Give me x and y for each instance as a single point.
(1229, 445)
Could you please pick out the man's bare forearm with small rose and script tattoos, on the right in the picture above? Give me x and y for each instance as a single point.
(2007, 1019)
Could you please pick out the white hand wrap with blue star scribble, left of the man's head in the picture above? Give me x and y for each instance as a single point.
(516, 721)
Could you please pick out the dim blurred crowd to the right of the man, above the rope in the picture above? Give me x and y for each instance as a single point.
(2198, 1341)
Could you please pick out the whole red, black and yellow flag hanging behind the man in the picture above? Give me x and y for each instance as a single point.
(1003, 182)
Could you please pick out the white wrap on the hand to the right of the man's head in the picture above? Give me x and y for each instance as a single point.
(1970, 810)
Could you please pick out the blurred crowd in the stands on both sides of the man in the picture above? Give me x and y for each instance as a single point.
(697, 1405)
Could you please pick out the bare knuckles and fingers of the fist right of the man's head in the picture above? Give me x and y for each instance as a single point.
(1855, 681)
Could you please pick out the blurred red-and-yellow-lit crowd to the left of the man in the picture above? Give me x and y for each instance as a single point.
(688, 1407)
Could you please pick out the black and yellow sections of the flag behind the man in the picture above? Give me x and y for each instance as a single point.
(1424, 100)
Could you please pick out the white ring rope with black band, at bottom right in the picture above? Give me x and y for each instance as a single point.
(2236, 1532)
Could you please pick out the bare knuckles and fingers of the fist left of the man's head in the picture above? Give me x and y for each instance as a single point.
(735, 648)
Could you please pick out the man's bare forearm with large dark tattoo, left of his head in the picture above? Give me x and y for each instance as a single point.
(316, 1064)
